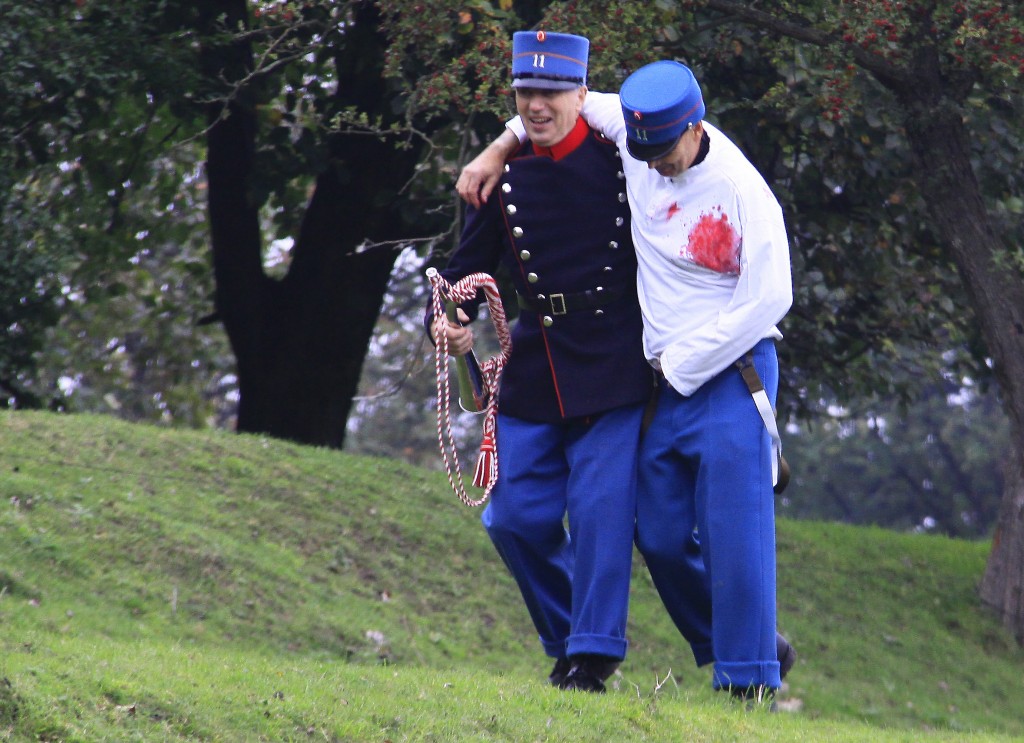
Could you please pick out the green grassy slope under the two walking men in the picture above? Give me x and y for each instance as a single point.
(160, 585)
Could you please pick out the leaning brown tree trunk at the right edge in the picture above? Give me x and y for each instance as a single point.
(941, 144)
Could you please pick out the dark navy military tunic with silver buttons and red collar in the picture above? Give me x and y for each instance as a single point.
(562, 227)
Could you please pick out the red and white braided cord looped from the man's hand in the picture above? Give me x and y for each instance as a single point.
(463, 291)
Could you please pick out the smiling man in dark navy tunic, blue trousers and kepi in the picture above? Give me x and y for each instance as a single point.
(573, 395)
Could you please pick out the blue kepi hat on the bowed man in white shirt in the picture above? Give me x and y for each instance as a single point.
(660, 103)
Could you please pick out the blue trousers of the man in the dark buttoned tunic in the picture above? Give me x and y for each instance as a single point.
(576, 582)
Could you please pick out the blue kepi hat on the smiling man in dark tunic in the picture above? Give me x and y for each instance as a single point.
(544, 60)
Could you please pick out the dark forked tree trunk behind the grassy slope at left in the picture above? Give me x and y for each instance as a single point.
(301, 342)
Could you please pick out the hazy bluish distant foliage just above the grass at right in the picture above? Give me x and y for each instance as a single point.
(935, 466)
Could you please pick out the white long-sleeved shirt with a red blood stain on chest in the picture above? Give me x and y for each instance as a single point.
(713, 254)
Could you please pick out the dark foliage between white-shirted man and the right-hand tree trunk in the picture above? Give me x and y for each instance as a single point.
(874, 290)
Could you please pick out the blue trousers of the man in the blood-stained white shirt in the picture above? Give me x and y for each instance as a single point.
(706, 492)
